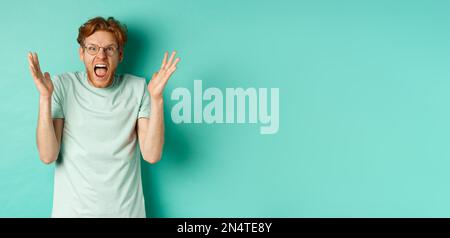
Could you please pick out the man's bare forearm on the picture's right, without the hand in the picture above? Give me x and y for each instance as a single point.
(154, 136)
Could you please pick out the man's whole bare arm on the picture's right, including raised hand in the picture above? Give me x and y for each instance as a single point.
(151, 131)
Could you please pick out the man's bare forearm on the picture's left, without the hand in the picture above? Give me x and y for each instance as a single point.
(47, 143)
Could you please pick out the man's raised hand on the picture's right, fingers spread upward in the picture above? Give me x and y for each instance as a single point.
(160, 78)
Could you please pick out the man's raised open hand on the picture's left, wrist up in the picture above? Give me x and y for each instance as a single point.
(42, 81)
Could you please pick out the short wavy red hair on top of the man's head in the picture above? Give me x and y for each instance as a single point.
(101, 24)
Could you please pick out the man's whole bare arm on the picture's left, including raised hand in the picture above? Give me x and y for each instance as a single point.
(48, 132)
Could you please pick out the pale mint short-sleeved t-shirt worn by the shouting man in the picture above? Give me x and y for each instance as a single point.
(98, 171)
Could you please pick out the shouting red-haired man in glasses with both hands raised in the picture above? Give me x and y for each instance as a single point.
(91, 122)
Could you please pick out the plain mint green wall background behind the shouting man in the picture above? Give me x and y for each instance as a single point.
(364, 104)
